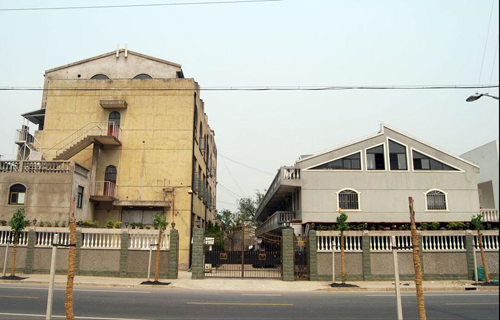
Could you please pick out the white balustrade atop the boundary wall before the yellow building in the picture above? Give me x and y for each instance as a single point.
(139, 239)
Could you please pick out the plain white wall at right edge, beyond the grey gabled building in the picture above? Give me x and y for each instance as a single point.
(487, 158)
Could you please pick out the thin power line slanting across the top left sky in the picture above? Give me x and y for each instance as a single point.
(137, 5)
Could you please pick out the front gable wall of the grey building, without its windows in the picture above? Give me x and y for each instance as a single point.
(384, 194)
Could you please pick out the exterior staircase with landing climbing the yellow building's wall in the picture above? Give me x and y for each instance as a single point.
(106, 134)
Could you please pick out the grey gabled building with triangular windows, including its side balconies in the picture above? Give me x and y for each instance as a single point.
(371, 180)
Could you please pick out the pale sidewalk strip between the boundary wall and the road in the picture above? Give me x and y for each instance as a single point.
(251, 285)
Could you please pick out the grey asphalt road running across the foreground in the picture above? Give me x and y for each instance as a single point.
(29, 302)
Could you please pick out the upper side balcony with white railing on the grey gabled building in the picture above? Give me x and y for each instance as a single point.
(287, 180)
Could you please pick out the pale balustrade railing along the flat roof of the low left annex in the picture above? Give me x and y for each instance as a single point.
(35, 166)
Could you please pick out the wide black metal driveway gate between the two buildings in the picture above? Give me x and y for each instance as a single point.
(239, 254)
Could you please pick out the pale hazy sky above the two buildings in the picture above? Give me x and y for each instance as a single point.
(293, 42)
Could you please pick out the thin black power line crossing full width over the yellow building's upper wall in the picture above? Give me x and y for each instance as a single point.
(264, 88)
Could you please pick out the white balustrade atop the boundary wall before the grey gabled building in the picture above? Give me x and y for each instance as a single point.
(380, 241)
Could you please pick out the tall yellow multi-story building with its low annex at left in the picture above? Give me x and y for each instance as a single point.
(138, 131)
